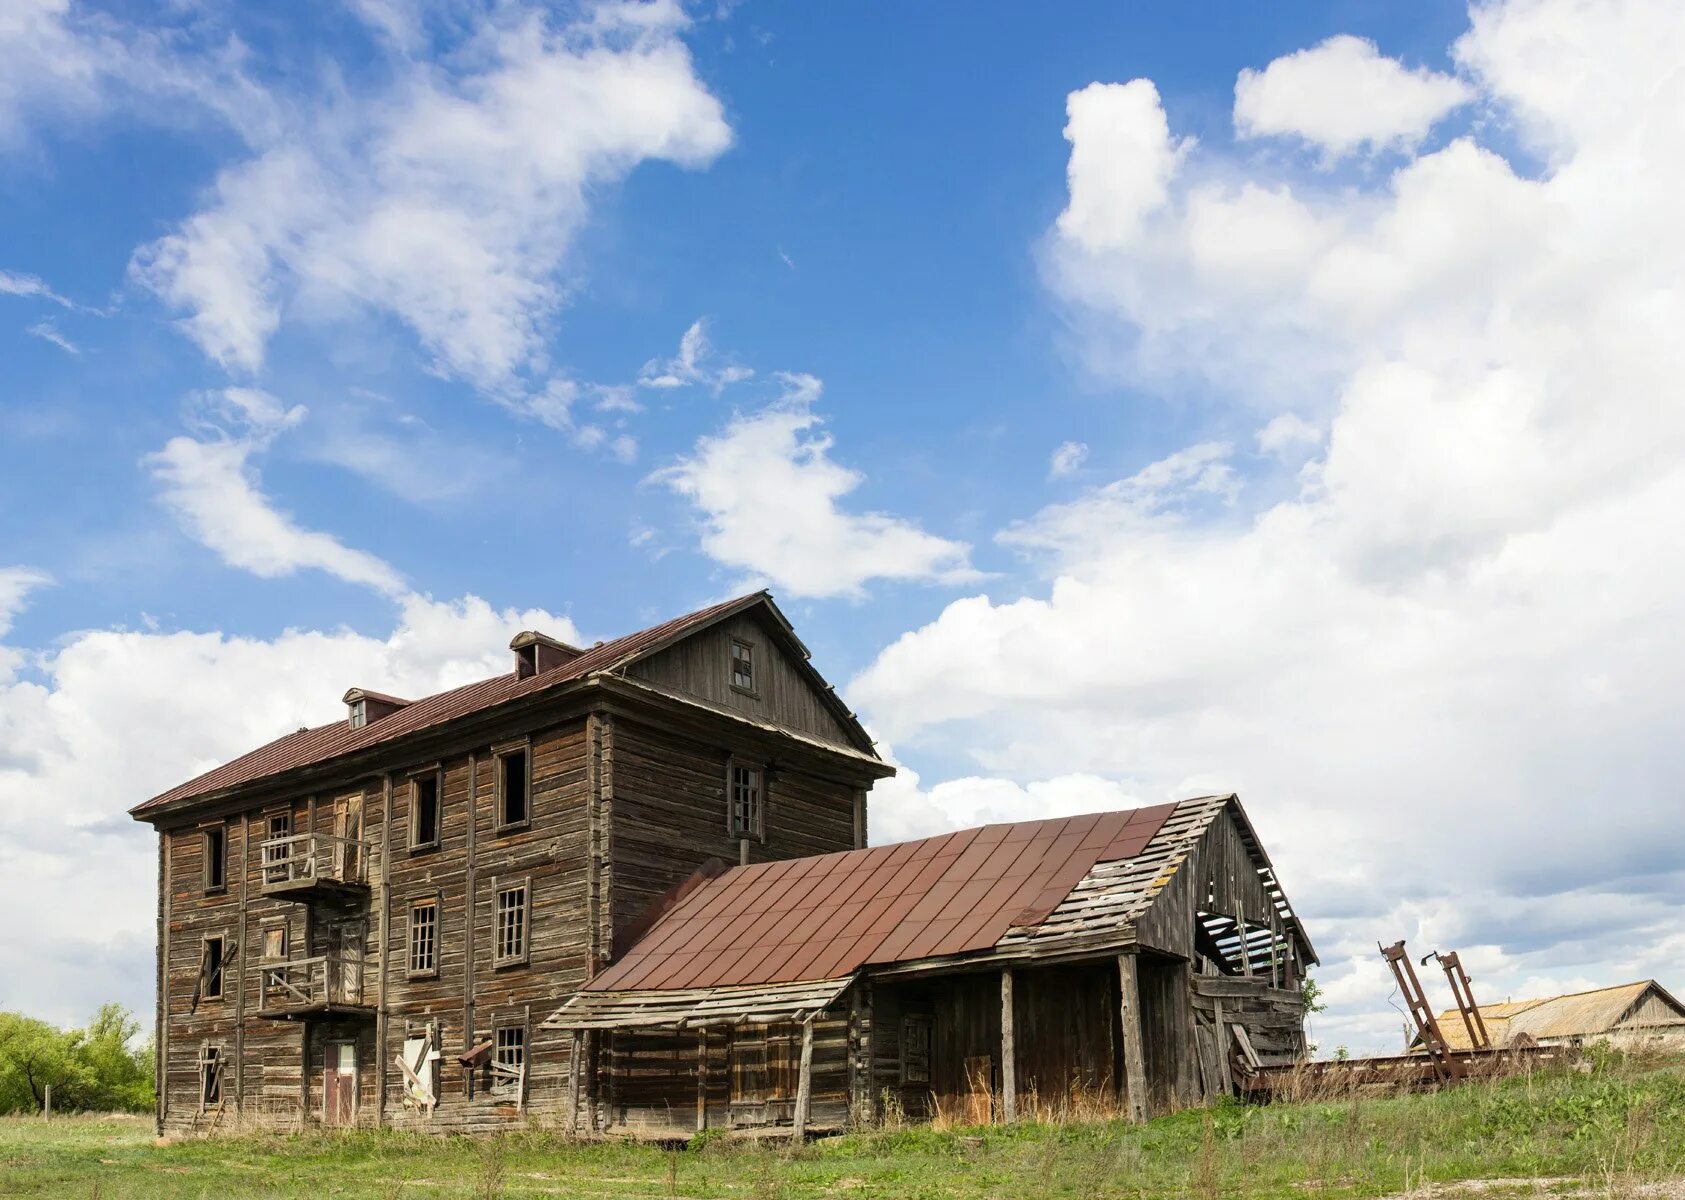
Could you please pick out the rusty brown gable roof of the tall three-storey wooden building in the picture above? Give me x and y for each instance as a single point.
(326, 742)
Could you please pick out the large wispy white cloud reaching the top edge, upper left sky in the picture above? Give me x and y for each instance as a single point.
(449, 201)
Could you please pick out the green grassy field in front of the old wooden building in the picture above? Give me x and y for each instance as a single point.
(1615, 1132)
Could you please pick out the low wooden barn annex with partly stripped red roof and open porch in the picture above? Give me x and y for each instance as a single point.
(1120, 960)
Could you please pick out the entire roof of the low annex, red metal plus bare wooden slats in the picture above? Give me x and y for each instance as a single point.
(1014, 889)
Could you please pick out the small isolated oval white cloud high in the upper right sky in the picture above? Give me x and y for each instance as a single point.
(1345, 95)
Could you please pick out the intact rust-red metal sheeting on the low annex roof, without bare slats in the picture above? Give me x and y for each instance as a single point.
(828, 916)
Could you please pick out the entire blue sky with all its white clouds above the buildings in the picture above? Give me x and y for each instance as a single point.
(1123, 400)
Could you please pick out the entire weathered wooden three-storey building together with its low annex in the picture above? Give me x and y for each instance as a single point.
(628, 889)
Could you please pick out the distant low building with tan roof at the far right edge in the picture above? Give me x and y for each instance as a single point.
(1630, 1015)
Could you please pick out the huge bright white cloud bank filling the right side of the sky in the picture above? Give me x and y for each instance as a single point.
(1440, 662)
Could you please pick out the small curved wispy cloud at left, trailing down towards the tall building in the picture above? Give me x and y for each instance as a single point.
(213, 490)
